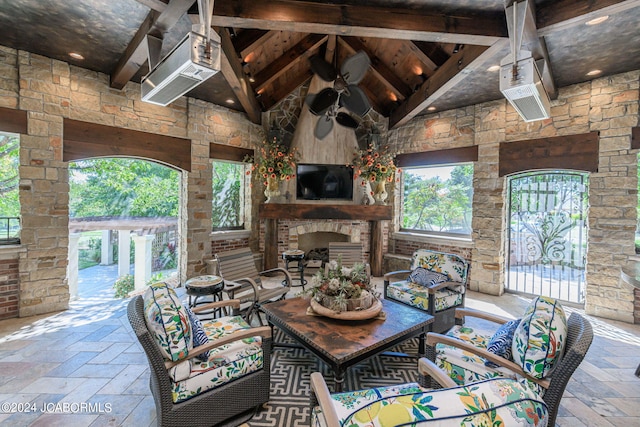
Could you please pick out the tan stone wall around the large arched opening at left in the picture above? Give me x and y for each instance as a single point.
(50, 91)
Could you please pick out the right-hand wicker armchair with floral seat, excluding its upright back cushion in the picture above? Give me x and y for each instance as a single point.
(463, 354)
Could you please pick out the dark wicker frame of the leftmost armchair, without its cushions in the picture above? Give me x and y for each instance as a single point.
(228, 404)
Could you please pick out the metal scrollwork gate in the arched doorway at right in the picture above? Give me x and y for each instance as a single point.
(547, 234)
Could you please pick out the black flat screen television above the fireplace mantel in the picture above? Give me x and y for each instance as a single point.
(320, 182)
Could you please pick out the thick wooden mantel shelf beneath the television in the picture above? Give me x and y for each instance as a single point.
(325, 211)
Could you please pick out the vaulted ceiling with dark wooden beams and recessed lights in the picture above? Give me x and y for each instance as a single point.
(423, 52)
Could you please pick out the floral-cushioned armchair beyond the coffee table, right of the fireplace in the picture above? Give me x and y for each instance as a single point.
(436, 283)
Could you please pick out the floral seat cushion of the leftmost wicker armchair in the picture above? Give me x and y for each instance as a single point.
(224, 364)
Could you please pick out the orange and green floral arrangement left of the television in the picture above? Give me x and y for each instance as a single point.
(274, 162)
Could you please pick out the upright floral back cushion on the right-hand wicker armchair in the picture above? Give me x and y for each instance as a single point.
(540, 338)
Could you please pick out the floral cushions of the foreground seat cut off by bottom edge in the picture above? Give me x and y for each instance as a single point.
(496, 402)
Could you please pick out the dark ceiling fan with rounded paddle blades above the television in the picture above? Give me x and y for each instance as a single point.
(344, 93)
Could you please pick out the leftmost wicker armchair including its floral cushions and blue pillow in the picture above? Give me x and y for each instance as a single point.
(195, 383)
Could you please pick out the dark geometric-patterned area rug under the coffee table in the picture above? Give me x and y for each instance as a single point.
(290, 388)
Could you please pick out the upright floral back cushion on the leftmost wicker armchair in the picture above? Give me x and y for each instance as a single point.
(168, 321)
